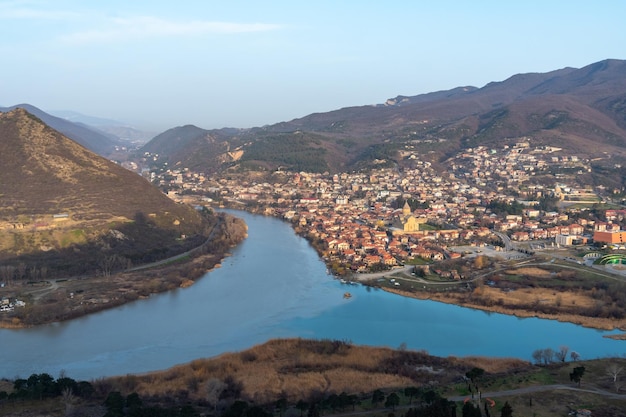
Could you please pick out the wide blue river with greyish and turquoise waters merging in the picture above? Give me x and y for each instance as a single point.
(274, 285)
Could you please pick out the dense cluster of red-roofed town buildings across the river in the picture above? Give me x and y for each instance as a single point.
(387, 216)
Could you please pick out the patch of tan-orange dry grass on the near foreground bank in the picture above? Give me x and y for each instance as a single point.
(302, 369)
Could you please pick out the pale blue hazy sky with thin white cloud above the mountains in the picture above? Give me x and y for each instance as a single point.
(250, 63)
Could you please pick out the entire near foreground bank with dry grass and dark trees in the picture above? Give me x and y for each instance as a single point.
(292, 377)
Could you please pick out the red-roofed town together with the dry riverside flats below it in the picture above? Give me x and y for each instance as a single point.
(517, 204)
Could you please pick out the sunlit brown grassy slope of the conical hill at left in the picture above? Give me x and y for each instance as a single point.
(68, 209)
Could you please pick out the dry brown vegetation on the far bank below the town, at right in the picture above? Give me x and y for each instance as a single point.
(531, 287)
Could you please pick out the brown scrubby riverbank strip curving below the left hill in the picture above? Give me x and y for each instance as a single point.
(65, 299)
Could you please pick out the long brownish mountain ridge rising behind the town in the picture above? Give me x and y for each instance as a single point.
(582, 110)
